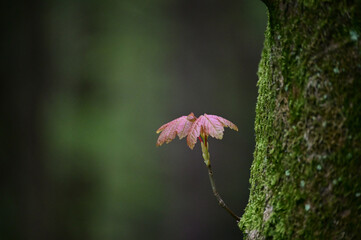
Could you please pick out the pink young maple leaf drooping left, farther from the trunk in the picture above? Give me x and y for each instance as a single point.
(179, 126)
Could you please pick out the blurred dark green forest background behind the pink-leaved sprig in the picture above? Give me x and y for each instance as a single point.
(85, 86)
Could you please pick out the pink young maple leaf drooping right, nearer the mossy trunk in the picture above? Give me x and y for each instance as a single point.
(208, 125)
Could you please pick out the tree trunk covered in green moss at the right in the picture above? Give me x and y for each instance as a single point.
(306, 173)
